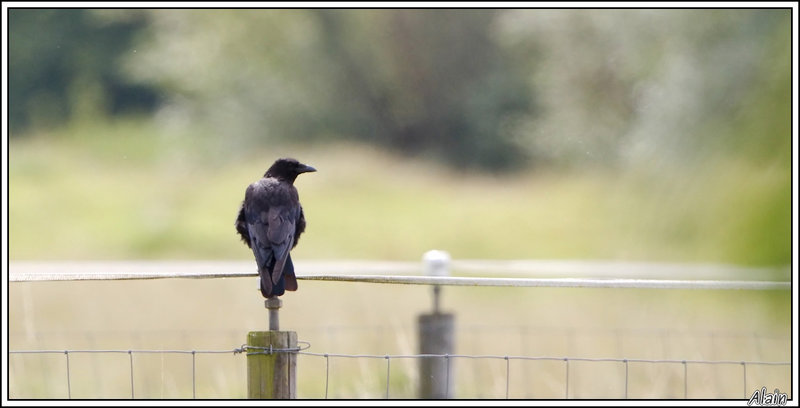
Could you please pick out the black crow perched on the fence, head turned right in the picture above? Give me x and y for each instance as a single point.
(270, 222)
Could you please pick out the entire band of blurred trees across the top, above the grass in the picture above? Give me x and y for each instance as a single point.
(490, 88)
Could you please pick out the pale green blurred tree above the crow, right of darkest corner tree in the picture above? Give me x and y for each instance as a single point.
(245, 76)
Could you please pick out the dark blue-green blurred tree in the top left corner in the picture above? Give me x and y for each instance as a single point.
(63, 64)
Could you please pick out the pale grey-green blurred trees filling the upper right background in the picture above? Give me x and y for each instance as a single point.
(653, 87)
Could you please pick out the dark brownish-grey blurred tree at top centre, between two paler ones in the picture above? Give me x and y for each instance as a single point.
(427, 80)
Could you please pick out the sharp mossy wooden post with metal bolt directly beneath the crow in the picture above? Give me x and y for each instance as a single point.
(271, 363)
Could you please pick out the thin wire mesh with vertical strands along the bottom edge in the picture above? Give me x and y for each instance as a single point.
(248, 350)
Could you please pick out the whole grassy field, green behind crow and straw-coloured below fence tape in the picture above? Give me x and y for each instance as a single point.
(140, 194)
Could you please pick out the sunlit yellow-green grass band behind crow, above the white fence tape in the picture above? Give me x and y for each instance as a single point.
(135, 192)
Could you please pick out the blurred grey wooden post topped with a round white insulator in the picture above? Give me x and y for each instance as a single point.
(436, 337)
